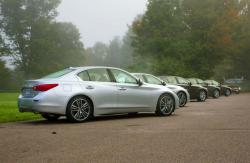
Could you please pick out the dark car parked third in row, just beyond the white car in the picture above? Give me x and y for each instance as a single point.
(196, 91)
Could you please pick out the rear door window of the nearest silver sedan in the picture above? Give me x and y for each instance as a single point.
(99, 75)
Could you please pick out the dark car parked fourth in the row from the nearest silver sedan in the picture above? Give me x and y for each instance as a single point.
(213, 91)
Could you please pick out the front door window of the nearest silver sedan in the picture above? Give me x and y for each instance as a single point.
(122, 77)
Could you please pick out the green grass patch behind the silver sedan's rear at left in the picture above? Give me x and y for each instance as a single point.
(9, 110)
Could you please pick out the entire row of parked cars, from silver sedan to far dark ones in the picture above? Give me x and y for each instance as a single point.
(81, 93)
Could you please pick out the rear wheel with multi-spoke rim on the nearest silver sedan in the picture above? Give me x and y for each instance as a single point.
(79, 109)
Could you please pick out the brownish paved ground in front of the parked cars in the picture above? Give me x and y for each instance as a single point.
(214, 131)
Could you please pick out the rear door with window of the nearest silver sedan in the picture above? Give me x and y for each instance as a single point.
(98, 84)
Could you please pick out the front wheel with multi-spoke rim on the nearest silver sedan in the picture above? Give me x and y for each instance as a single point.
(165, 105)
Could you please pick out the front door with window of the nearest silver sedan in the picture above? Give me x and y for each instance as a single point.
(131, 96)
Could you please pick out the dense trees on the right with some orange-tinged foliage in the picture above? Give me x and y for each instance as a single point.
(208, 38)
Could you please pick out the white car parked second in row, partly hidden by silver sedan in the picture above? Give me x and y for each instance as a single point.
(182, 93)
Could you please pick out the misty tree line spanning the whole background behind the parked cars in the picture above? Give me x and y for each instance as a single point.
(190, 38)
